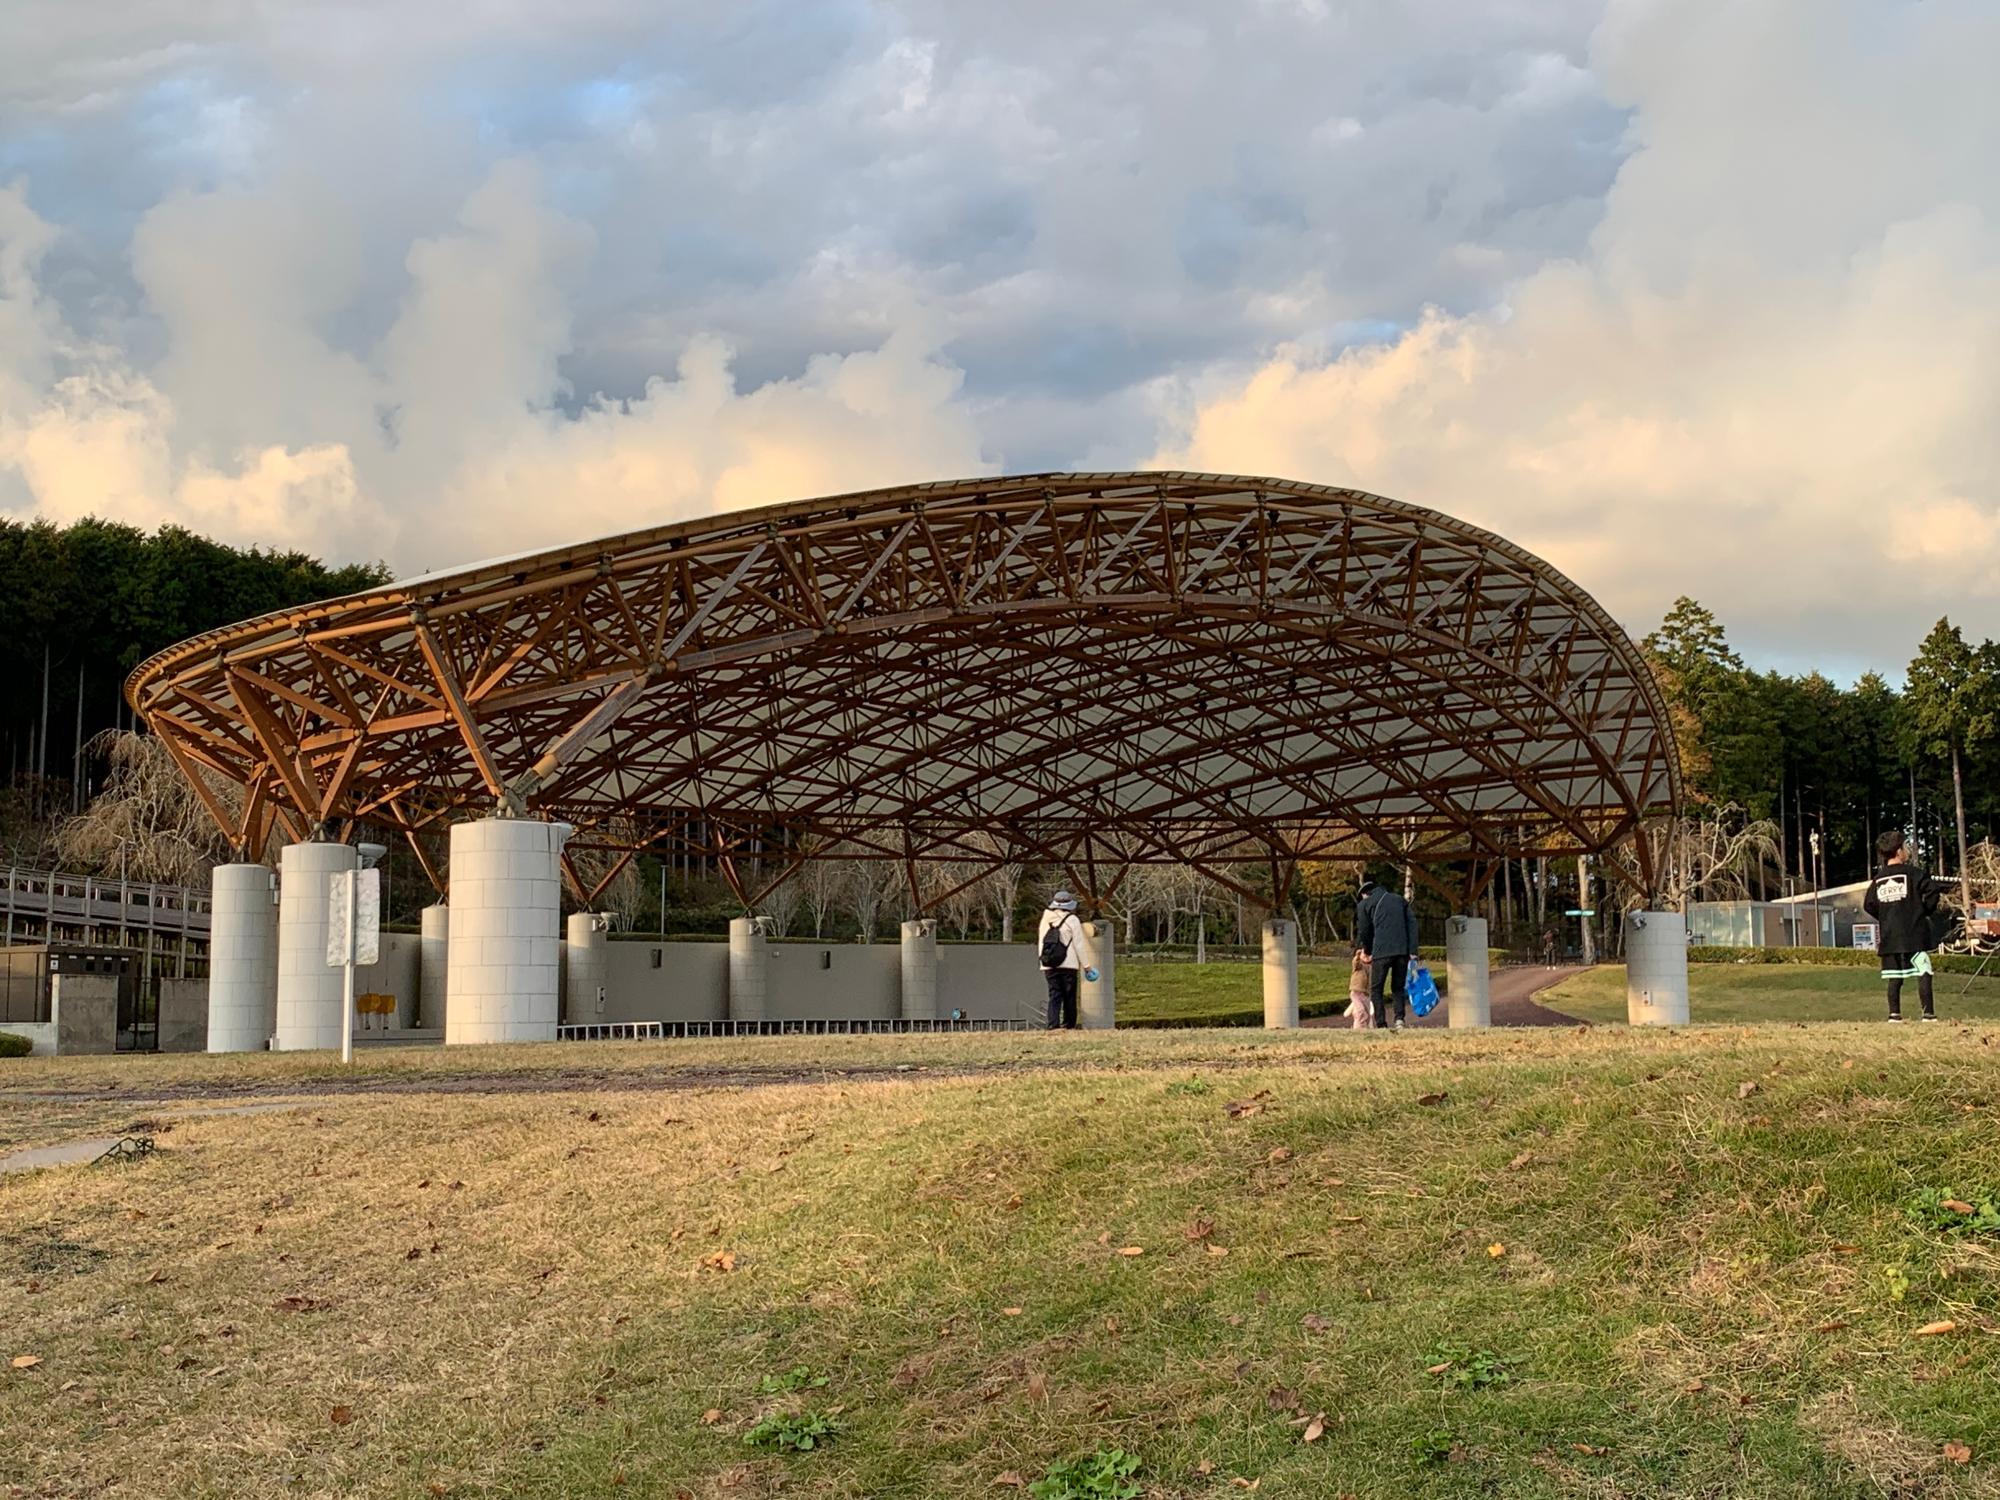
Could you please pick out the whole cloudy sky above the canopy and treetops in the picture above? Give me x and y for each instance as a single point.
(1689, 297)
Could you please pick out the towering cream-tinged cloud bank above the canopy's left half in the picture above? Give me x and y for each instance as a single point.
(447, 439)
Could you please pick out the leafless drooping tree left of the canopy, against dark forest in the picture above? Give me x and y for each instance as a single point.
(147, 823)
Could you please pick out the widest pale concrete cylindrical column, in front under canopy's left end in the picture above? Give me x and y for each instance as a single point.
(503, 955)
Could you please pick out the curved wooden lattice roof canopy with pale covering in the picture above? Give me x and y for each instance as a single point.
(1079, 669)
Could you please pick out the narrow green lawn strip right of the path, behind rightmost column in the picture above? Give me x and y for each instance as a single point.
(1775, 993)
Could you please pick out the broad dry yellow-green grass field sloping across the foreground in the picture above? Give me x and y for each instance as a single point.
(1523, 1265)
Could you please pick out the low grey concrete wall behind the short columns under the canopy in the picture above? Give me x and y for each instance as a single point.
(811, 981)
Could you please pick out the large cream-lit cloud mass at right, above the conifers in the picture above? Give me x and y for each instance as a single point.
(1769, 381)
